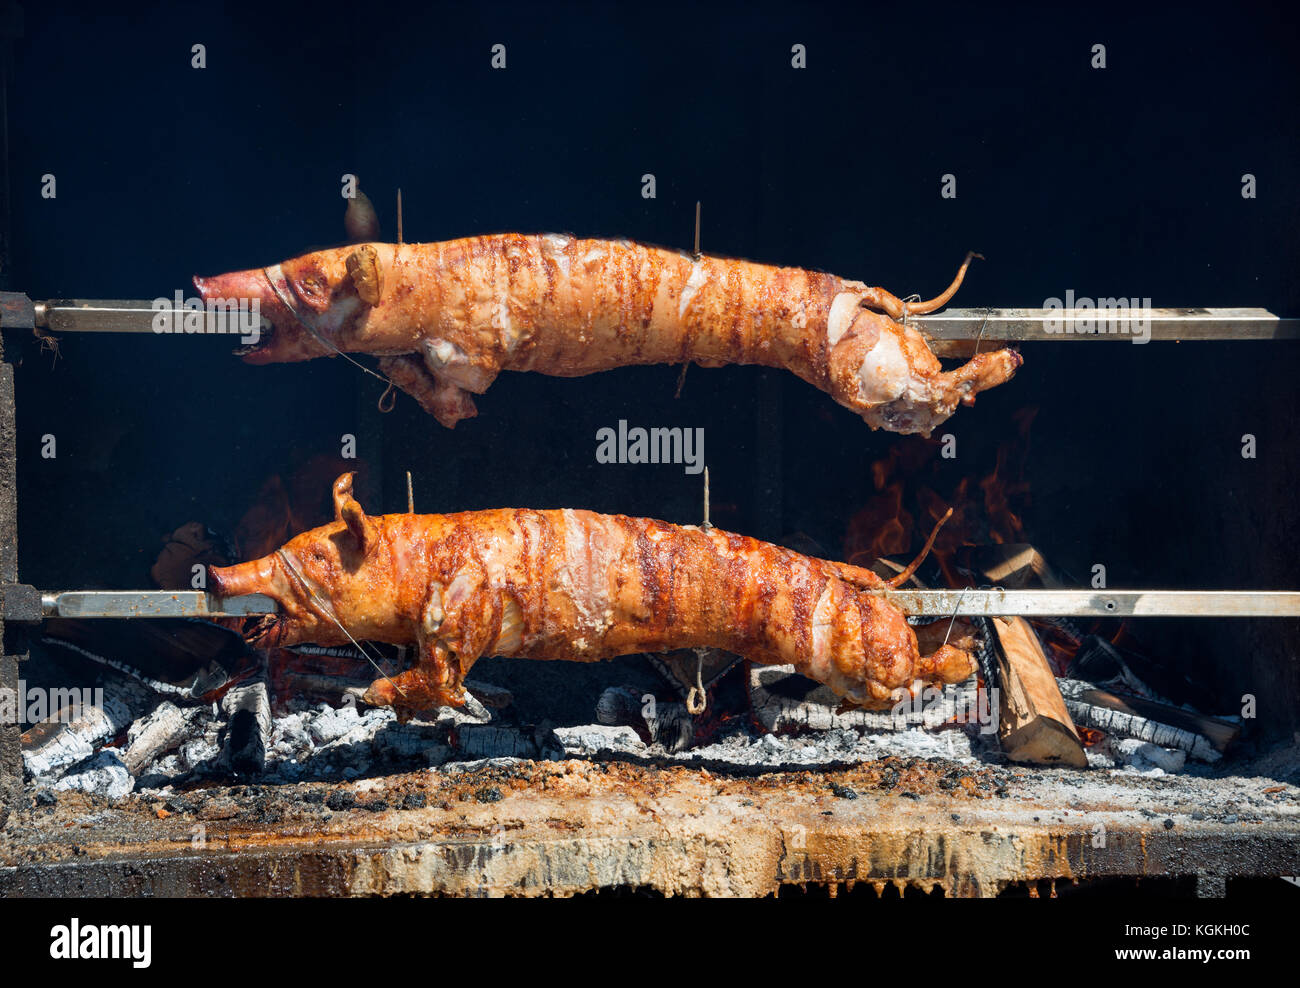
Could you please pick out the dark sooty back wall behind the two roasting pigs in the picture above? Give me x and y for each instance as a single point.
(1124, 181)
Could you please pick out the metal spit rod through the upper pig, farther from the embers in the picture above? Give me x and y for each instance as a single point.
(957, 324)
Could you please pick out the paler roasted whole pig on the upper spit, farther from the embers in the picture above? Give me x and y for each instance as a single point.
(448, 318)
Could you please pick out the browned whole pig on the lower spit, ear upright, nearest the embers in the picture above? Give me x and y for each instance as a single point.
(582, 587)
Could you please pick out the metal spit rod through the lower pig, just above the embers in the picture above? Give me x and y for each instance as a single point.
(934, 604)
